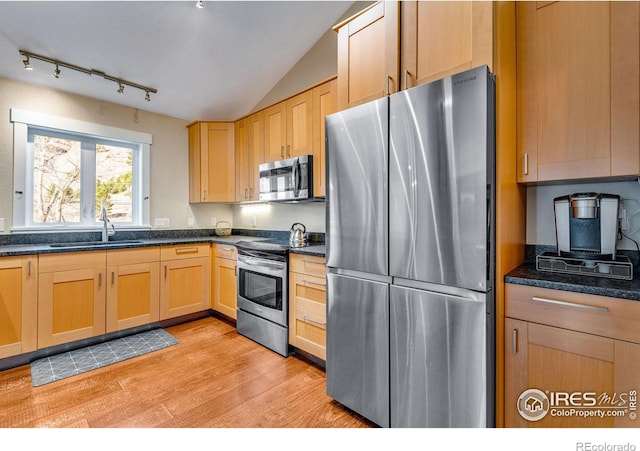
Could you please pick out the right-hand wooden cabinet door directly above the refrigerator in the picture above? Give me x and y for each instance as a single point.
(443, 38)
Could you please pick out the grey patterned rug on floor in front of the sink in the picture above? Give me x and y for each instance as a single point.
(60, 366)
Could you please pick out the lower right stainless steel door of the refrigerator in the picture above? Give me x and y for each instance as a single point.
(438, 359)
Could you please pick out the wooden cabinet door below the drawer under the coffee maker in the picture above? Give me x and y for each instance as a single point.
(555, 360)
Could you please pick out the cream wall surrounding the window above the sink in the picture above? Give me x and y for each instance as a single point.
(169, 151)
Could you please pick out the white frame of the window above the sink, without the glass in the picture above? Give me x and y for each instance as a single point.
(22, 168)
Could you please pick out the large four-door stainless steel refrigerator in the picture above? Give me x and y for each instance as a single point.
(410, 256)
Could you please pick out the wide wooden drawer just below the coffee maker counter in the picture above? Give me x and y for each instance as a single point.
(599, 315)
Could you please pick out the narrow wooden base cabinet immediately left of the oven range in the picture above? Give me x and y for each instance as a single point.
(225, 280)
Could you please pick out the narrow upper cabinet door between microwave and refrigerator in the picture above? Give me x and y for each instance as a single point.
(325, 101)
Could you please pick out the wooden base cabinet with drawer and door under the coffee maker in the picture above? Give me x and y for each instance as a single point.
(564, 343)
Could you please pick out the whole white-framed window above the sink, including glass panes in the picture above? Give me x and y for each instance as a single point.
(66, 171)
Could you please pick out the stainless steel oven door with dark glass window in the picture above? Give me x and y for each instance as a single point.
(262, 288)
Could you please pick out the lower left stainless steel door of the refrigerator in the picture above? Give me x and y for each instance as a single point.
(357, 363)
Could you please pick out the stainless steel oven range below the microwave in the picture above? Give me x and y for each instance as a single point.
(263, 301)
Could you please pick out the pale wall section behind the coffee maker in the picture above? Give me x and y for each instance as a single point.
(540, 216)
